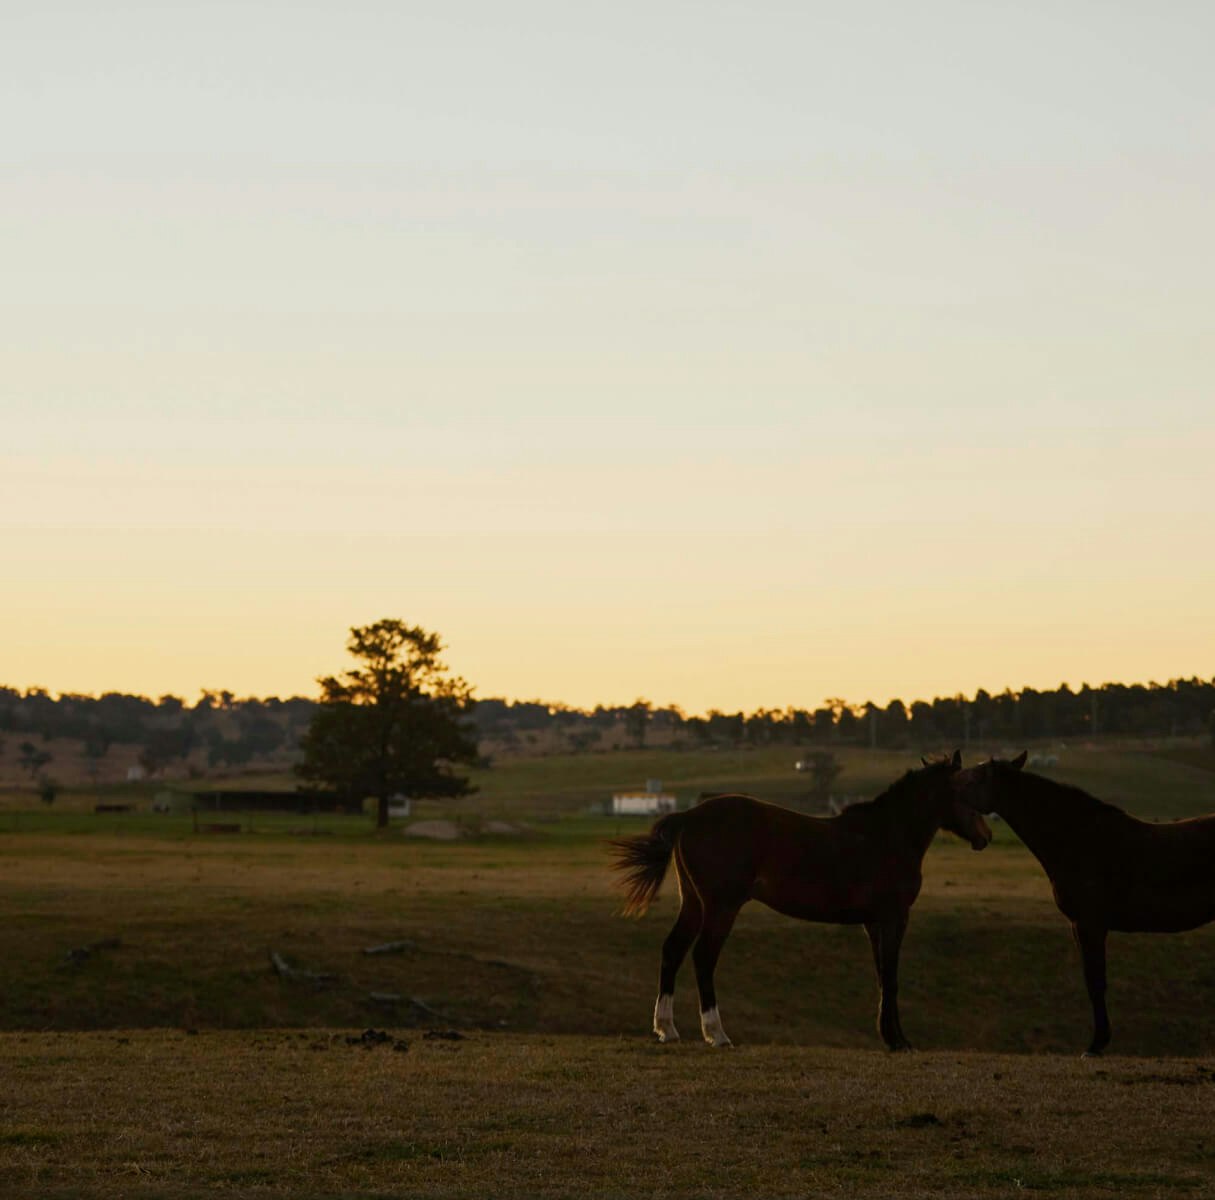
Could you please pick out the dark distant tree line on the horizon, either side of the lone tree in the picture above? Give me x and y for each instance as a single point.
(229, 732)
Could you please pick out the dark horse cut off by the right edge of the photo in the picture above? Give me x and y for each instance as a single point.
(1109, 869)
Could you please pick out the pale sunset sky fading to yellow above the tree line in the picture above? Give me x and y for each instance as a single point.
(728, 355)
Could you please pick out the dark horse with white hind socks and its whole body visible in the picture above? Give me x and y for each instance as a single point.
(860, 868)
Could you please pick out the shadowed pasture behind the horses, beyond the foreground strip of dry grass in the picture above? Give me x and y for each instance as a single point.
(521, 933)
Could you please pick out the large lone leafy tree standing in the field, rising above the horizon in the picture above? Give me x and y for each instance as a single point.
(395, 724)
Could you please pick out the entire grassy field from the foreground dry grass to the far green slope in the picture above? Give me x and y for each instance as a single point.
(208, 1072)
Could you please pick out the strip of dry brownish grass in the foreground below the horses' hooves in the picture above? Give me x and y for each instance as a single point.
(306, 1114)
